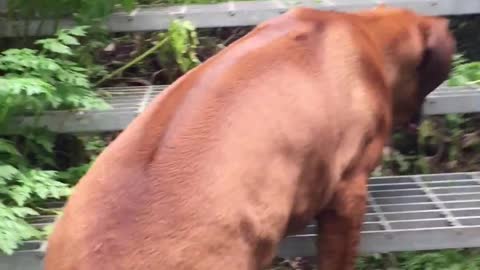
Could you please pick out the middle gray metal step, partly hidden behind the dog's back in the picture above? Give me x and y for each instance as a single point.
(127, 102)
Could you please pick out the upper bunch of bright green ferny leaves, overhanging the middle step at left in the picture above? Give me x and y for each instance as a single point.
(35, 80)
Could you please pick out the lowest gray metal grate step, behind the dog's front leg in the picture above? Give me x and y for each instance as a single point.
(404, 213)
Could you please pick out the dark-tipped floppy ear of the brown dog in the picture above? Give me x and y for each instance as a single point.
(437, 56)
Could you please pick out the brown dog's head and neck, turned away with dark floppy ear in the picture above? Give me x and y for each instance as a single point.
(418, 55)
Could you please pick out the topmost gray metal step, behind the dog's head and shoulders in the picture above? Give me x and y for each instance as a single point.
(247, 13)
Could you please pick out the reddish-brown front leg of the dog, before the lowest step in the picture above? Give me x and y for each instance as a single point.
(340, 224)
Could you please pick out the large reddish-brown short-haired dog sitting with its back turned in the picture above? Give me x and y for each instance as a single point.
(281, 127)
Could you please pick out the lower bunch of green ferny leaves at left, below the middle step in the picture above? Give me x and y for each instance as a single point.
(25, 184)
